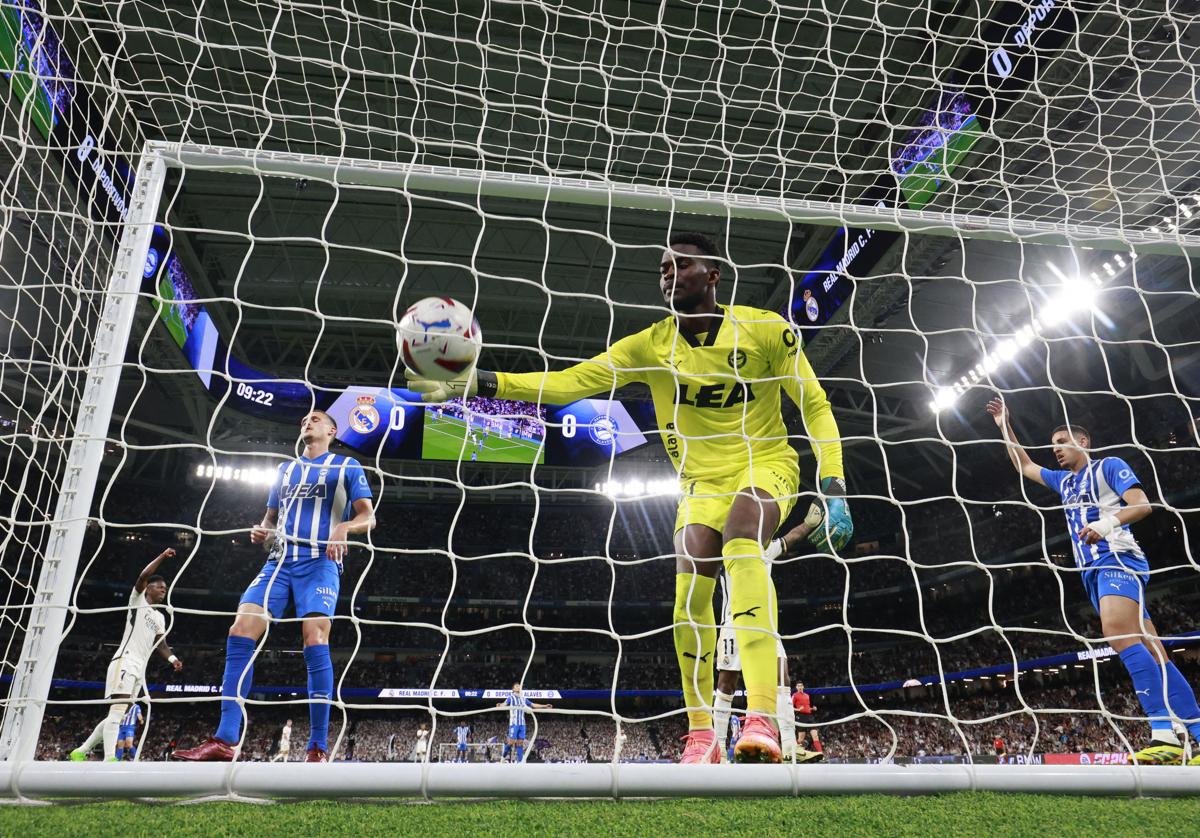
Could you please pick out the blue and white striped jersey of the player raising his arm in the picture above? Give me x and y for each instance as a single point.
(1091, 495)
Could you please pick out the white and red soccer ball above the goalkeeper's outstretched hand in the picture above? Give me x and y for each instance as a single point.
(439, 339)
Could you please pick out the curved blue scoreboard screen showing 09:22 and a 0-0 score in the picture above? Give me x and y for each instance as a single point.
(392, 422)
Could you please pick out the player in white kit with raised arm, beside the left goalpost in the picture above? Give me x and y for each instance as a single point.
(145, 630)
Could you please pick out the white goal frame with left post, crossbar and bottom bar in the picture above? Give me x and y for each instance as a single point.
(25, 777)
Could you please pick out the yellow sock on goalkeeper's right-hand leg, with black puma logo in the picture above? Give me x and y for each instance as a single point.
(753, 603)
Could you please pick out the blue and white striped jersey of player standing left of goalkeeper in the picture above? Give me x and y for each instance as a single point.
(313, 498)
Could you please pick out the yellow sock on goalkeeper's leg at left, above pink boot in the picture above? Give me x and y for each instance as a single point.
(695, 635)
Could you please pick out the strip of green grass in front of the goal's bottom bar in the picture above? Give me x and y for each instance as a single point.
(967, 815)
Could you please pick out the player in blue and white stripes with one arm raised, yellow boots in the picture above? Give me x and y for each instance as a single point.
(1101, 500)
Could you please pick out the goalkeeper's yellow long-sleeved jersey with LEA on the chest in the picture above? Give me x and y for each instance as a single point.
(717, 396)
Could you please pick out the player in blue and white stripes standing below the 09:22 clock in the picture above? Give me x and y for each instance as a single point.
(317, 502)
